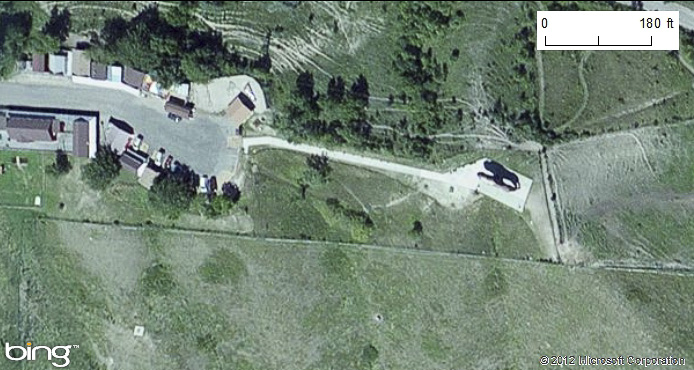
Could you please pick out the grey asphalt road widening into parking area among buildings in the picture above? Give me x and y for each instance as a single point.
(200, 143)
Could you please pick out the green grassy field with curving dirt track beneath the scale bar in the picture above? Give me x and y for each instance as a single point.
(653, 88)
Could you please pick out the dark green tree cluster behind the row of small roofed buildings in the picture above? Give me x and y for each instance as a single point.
(168, 46)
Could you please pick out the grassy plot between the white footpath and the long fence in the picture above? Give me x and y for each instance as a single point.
(393, 203)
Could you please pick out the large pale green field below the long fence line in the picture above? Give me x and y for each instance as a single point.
(211, 302)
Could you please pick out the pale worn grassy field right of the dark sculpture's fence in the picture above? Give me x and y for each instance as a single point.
(632, 197)
